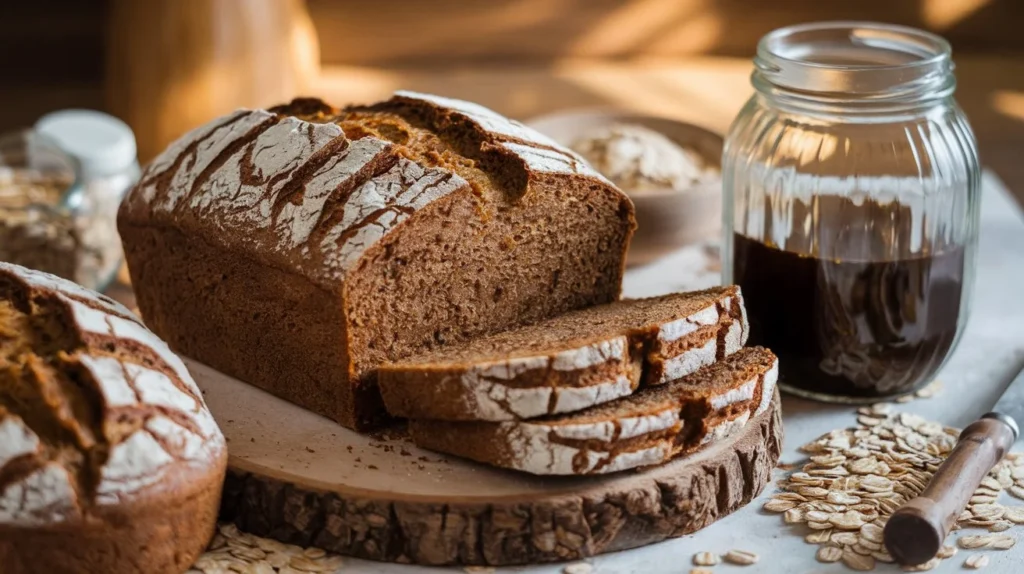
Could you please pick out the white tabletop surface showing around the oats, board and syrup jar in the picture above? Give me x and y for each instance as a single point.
(991, 352)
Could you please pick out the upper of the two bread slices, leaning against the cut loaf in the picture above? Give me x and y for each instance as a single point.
(570, 363)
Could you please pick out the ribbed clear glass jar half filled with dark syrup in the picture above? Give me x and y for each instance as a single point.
(851, 204)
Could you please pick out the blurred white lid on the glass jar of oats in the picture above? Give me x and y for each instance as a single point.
(102, 144)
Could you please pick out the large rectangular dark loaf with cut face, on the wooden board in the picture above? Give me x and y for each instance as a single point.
(300, 248)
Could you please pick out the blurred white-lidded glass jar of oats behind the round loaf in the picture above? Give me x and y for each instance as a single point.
(61, 186)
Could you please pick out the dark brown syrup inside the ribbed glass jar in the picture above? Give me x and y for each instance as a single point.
(860, 327)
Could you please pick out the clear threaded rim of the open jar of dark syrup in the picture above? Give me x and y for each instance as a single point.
(855, 58)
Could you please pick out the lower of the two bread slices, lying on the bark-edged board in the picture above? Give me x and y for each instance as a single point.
(649, 428)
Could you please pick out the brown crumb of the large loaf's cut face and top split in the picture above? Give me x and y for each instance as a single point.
(429, 282)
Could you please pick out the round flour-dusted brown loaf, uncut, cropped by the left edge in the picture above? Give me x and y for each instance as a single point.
(110, 461)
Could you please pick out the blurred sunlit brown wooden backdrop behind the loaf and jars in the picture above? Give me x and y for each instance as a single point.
(167, 66)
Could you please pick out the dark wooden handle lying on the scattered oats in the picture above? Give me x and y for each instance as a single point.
(916, 532)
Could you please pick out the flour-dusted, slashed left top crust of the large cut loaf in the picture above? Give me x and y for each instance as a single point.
(246, 174)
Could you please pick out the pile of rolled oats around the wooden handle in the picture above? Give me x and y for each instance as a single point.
(857, 478)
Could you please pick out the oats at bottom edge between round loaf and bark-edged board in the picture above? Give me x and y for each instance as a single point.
(236, 552)
